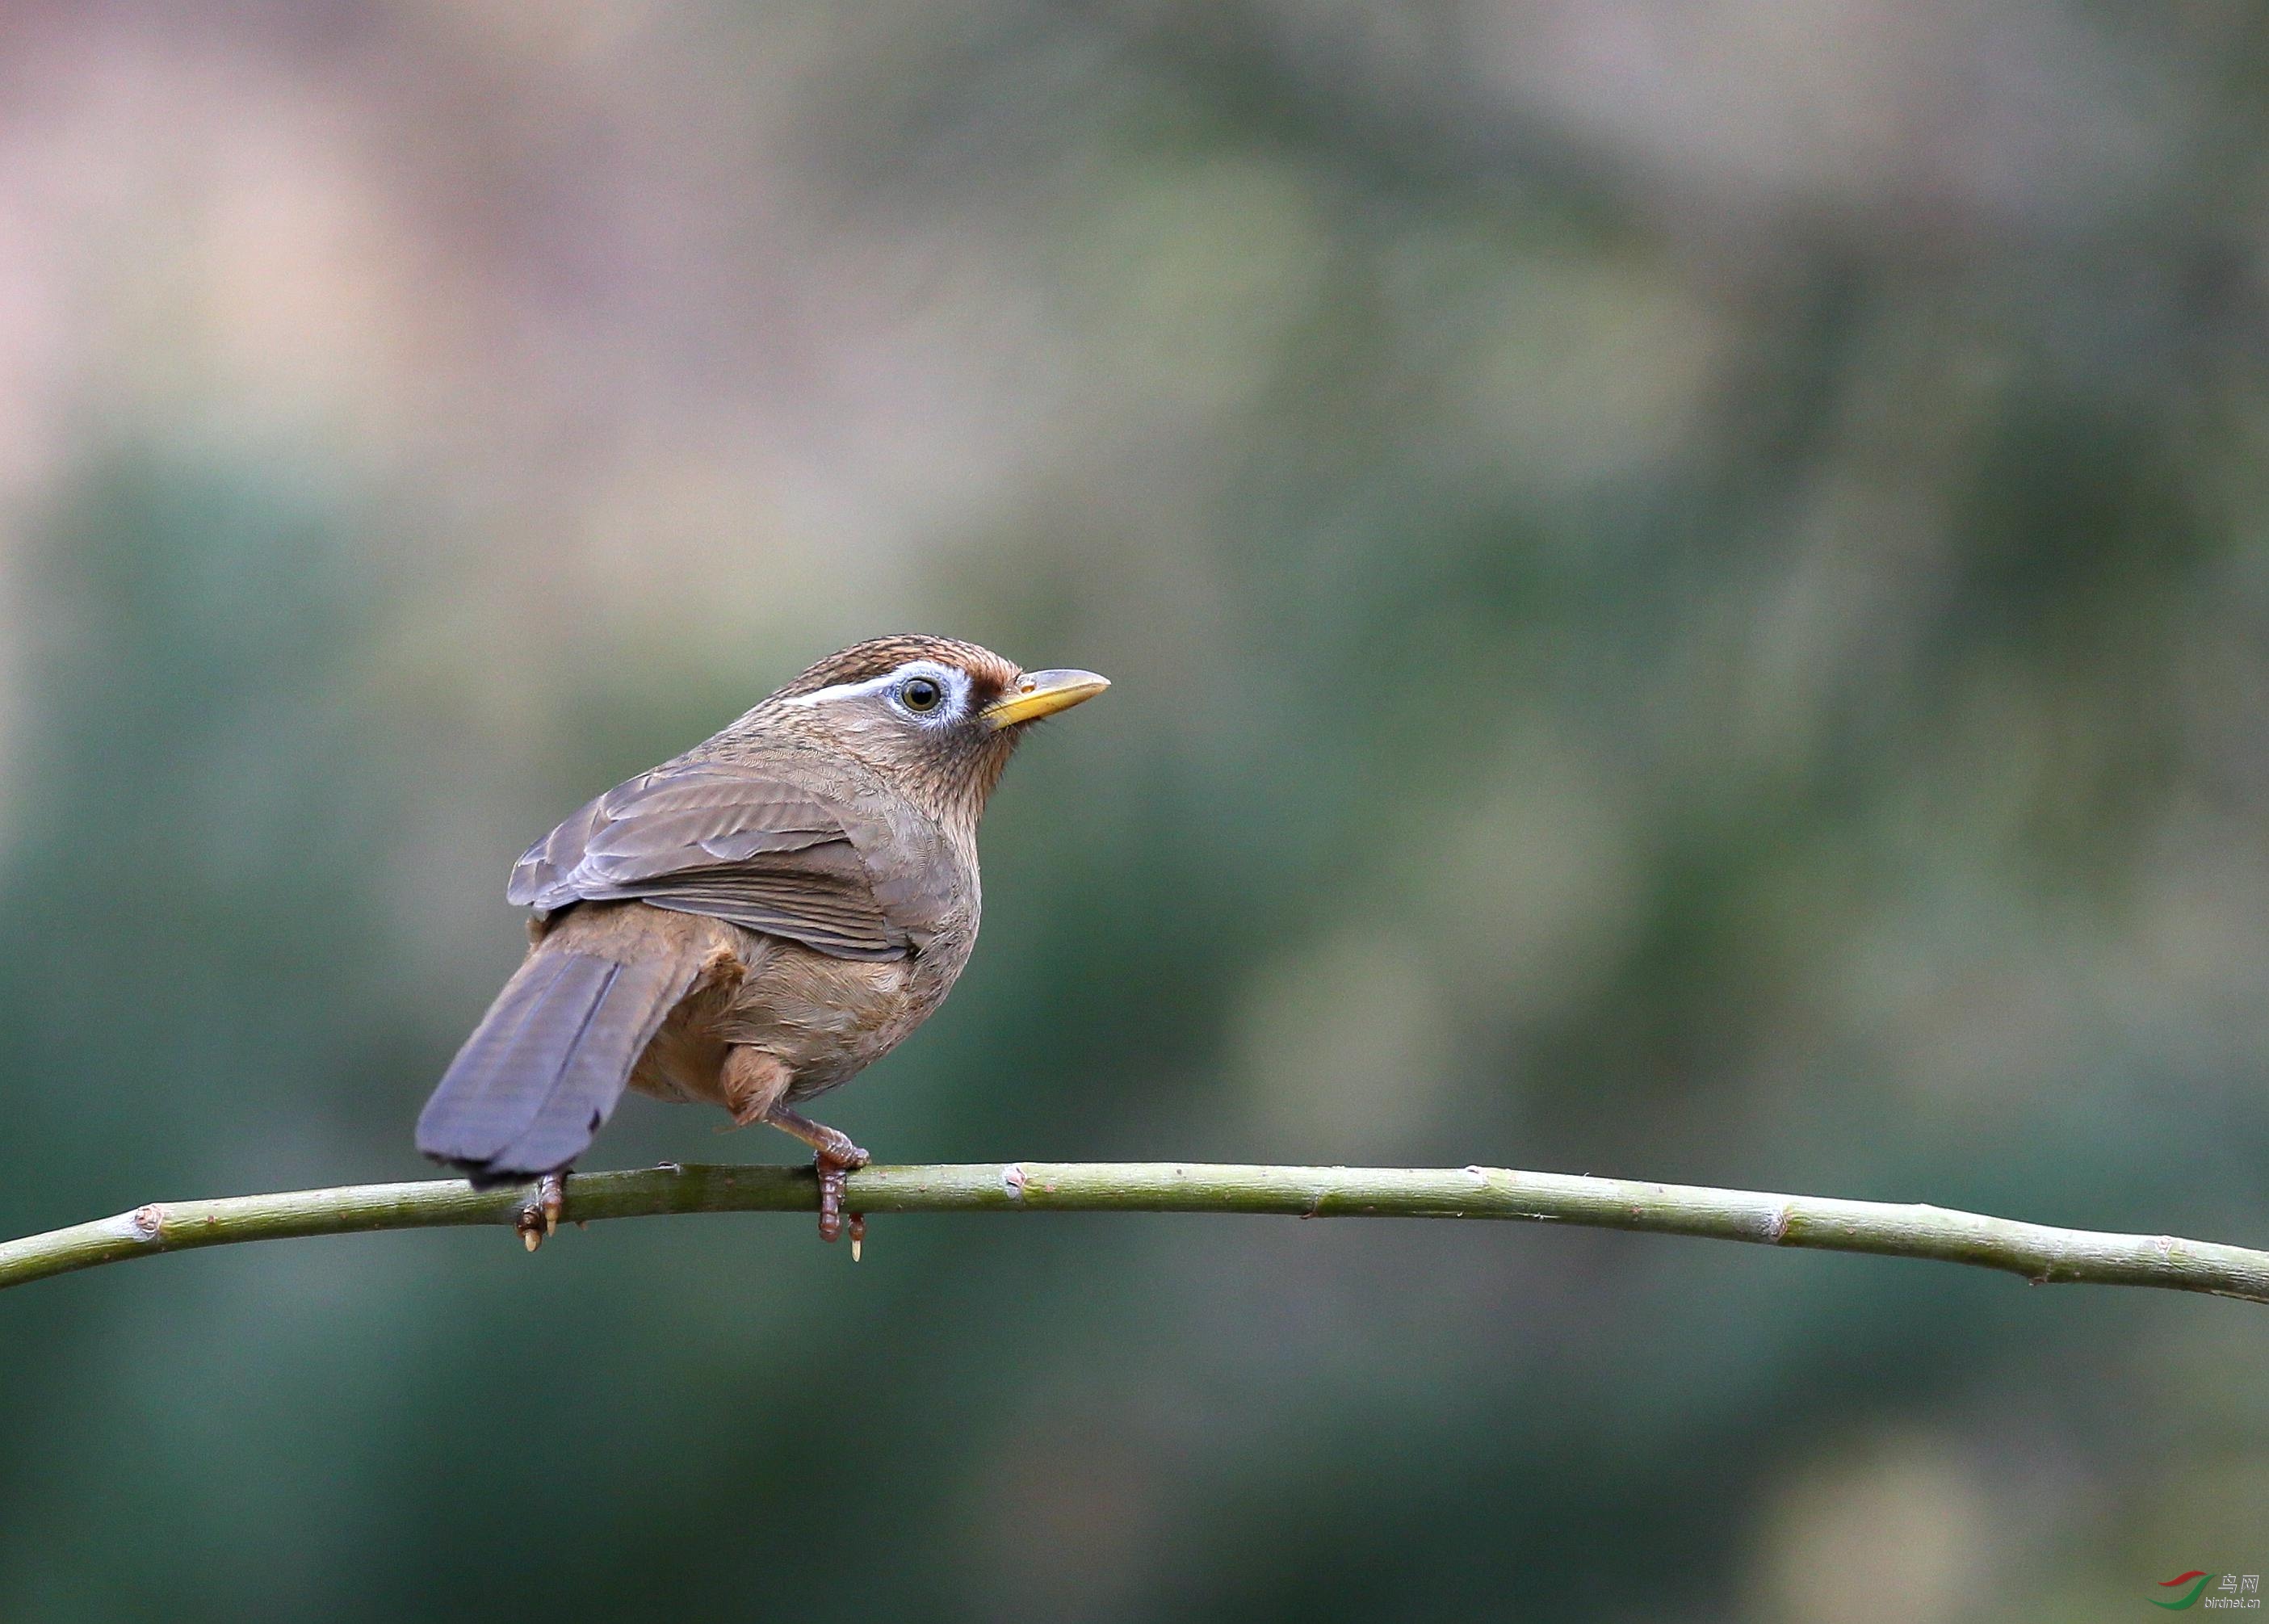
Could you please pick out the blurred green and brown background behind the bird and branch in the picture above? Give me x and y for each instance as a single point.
(1689, 598)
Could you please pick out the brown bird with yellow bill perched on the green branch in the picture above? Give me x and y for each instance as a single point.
(752, 922)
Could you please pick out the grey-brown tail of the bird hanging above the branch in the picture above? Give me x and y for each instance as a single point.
(548, 1063)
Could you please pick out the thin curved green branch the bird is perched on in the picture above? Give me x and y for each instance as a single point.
(2034, 1251)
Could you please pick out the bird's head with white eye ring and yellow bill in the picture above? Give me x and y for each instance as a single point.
(931, 713)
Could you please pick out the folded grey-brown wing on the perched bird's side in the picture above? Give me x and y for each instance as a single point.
(732, 843)
